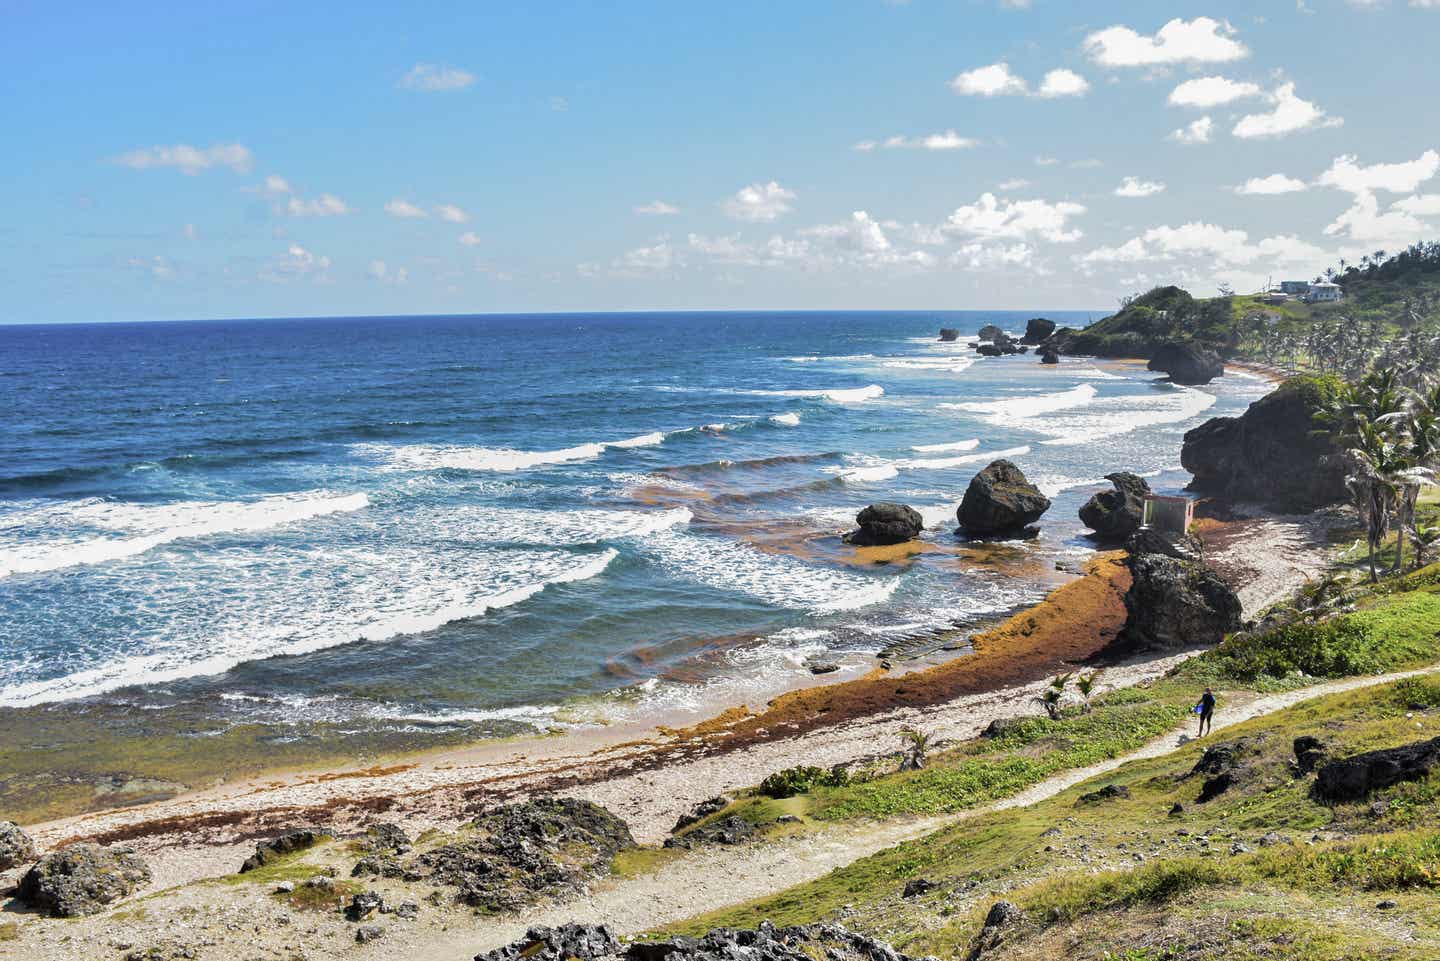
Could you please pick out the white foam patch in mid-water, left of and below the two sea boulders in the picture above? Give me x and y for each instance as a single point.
(777, 580)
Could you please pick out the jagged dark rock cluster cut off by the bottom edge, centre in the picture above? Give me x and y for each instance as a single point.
(767, 943)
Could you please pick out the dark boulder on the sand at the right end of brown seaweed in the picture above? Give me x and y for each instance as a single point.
(1176, 604)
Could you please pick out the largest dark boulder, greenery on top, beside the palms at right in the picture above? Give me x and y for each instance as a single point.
(1272, 455)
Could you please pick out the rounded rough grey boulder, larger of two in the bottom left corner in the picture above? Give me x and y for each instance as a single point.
(83, 880)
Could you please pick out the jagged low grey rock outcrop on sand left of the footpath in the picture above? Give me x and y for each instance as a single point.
(522, 852)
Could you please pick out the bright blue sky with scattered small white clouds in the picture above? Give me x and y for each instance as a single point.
(169, 162)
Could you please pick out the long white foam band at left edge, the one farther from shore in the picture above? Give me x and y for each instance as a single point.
(99, 531)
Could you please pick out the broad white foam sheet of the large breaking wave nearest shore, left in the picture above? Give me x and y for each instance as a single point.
(313, 600)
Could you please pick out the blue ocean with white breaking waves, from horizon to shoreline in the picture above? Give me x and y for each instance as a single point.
(398, 521)
